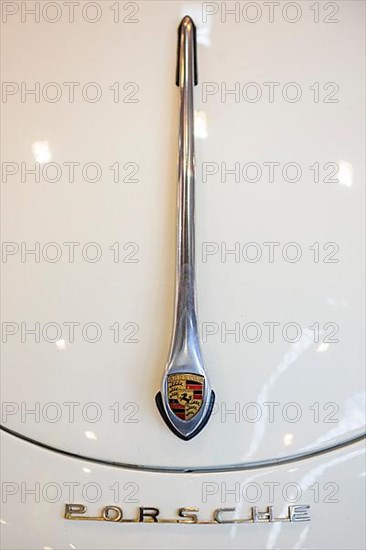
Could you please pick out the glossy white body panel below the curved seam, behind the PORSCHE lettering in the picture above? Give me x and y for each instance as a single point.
(332, 479)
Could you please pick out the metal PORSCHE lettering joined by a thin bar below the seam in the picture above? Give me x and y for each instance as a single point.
(189, 515)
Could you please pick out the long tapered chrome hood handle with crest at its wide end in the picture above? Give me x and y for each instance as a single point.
(186, 398)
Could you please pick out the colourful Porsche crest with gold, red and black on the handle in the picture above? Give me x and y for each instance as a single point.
(185, 394)
